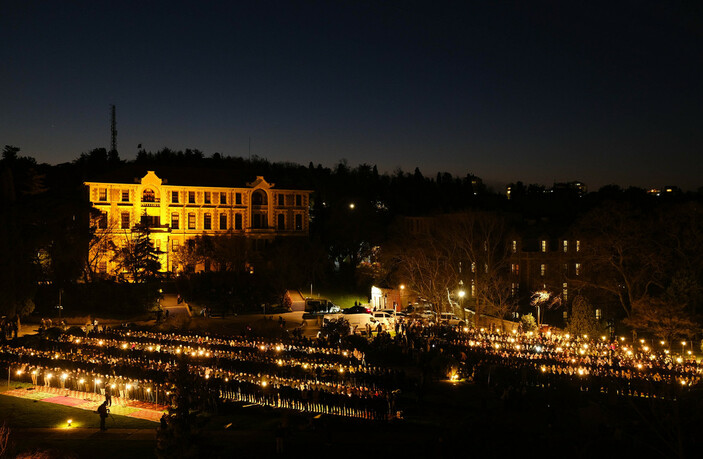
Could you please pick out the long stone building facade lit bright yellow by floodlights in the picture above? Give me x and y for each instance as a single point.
(257, 211)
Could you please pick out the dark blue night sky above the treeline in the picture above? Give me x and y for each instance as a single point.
(533, 91)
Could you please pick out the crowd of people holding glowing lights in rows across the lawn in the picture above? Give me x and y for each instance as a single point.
(337, 377)
